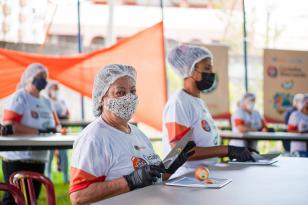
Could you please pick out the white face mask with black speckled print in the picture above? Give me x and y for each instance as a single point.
(123, 107)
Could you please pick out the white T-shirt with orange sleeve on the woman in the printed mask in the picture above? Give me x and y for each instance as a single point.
(103, 153)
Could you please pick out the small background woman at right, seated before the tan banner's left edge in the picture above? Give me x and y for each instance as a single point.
(247, 119)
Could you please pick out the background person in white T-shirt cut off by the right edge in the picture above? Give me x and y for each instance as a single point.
(298, 123)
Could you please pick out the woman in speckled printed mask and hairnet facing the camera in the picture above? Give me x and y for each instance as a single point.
(111, 156)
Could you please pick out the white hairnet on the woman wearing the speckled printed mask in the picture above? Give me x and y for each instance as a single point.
(103, 80)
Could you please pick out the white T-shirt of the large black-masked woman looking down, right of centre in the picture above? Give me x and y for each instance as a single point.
(182, 113)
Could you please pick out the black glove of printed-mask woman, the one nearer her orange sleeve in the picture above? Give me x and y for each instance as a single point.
(143, 176)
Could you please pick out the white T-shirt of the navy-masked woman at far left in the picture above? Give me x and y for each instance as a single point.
(31, 111)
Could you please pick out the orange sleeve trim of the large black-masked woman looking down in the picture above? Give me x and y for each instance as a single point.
(176, 131)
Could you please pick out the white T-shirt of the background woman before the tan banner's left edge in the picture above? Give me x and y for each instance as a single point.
(251, 120)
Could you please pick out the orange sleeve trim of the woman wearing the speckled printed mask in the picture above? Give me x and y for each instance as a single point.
(81, 179)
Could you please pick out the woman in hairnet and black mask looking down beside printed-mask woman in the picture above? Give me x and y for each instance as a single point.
(185, 110)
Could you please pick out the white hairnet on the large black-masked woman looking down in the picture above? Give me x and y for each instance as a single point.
(183, 58)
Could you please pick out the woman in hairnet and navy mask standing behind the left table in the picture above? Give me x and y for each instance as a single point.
(27, 112)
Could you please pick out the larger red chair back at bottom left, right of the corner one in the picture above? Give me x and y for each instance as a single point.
(23, 178)
